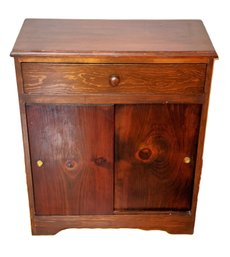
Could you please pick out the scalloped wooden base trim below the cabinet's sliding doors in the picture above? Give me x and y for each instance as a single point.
(173, 224)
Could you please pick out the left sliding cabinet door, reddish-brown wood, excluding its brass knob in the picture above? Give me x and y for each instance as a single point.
(77, 172)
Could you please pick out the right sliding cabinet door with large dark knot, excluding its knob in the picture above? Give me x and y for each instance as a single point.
(151, 144)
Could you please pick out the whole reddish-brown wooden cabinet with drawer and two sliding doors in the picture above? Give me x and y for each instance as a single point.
(113, 119)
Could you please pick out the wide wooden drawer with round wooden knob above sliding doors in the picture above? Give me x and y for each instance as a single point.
(64, 79)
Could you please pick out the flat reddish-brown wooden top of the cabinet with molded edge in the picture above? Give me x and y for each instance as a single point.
(155, 38)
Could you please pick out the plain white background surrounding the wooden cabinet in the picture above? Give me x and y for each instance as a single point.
(212, 223)
